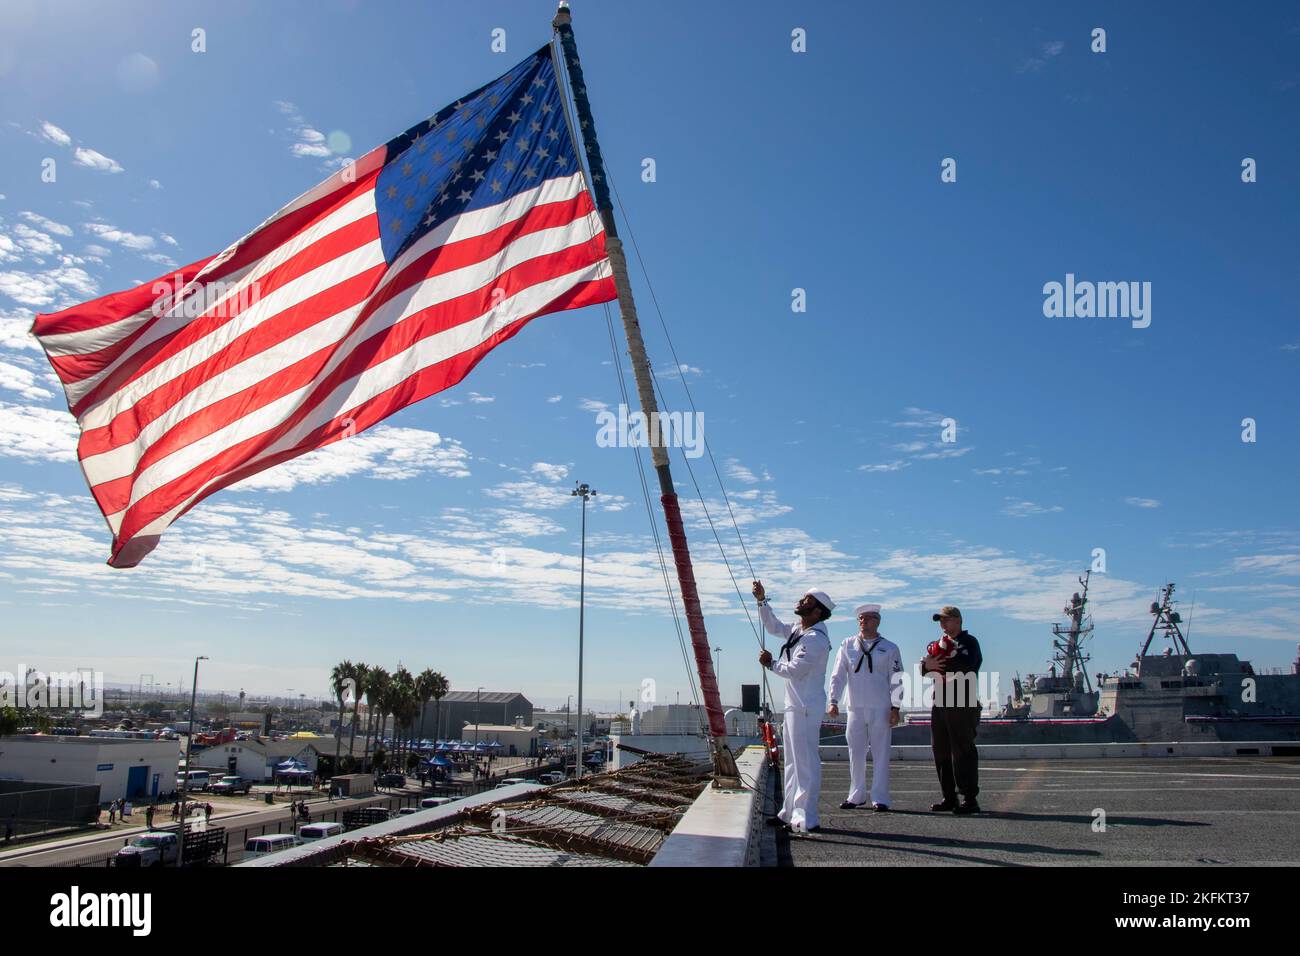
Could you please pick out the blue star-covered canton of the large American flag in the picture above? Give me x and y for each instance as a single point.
(501, 140)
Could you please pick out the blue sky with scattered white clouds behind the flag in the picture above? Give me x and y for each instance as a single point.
(447, 538)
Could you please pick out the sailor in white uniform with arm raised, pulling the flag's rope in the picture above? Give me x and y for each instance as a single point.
(801, 661)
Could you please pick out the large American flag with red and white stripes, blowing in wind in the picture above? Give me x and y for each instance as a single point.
(382, 287)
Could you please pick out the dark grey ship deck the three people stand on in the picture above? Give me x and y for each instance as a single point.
(1159, 812)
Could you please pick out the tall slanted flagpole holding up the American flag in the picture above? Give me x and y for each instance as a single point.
(725, 764)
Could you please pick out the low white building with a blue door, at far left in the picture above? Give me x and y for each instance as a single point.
(123, 768)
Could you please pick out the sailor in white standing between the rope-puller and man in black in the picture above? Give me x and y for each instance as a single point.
(868, 680)
